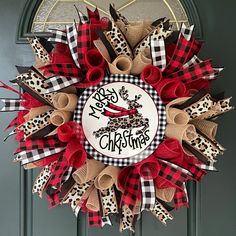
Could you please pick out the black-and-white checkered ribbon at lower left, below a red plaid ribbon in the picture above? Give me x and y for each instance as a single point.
(34, 155)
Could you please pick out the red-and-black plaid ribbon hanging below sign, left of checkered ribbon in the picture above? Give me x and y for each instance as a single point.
(132, 188)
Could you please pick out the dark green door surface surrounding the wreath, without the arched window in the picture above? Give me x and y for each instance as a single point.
(212, 203)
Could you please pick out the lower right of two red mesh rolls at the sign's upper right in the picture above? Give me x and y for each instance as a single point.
(170, 89)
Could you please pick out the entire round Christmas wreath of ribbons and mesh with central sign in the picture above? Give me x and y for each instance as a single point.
(119, 117)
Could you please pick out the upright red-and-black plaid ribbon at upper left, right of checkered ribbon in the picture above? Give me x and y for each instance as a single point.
(83, 42)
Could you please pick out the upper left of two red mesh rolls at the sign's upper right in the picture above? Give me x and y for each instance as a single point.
(151, 75)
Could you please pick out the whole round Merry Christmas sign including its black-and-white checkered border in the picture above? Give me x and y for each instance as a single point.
(123, 120)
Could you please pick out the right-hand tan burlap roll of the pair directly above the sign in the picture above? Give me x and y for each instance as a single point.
(142, 60)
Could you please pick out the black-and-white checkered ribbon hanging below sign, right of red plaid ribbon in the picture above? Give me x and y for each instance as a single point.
(148, 191)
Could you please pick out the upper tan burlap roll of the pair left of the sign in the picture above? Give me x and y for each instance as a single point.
(65, 102)
